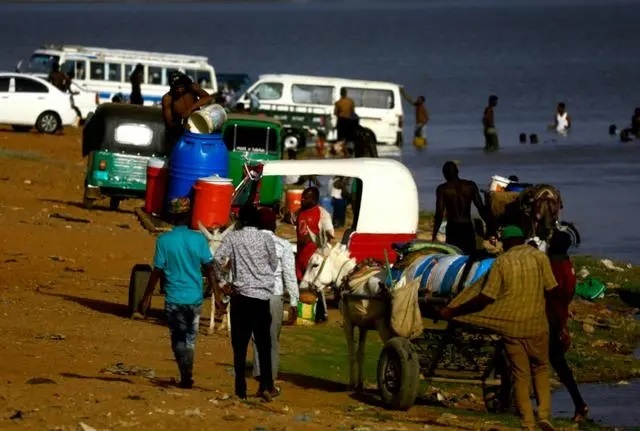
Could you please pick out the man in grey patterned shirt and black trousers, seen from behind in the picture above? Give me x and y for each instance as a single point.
(253, 259)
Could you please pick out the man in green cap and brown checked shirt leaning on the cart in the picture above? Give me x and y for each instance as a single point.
(511, 302)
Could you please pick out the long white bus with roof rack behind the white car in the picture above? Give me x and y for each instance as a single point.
(106, 71)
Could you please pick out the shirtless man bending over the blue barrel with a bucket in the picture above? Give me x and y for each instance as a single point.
(183, 99)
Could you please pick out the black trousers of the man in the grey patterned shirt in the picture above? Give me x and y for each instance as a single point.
(251, 316)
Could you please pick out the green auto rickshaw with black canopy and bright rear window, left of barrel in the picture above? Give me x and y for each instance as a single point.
(119, 139)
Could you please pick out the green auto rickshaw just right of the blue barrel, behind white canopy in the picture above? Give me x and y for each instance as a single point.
(253, 138)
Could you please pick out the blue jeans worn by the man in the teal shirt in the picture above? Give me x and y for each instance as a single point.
(183, 321)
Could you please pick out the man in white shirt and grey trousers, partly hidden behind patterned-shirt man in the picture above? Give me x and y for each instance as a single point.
(285, 278)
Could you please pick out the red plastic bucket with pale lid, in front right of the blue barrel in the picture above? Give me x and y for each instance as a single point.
(212, 202)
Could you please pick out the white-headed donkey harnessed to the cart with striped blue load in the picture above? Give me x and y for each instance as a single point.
(361, 303)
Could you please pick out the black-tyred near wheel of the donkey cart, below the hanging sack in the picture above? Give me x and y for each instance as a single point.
(398, 374)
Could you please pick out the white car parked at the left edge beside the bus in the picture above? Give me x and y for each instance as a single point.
(28, 101)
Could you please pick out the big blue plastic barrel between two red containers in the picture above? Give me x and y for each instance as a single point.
(195, 156)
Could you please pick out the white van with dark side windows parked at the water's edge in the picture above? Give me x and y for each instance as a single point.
(302, 100)
